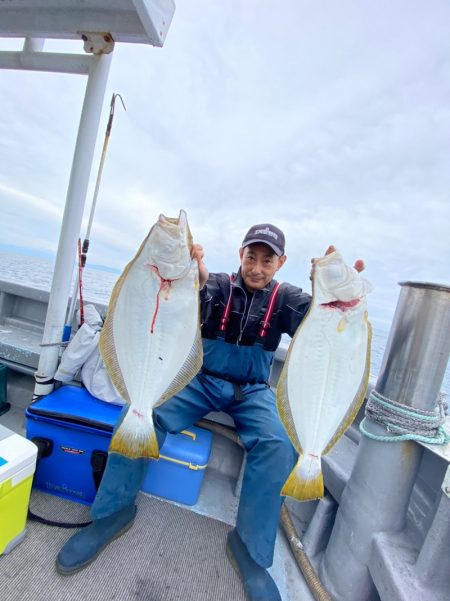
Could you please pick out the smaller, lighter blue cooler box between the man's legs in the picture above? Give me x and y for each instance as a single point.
(178, 473)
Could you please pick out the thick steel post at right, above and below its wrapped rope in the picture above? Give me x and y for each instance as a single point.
(377, 494)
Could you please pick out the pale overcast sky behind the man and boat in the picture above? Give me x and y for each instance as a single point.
(329, 119)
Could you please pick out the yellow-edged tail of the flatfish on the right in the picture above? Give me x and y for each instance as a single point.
(305, 482)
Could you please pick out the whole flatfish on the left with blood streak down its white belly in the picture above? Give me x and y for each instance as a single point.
(151, 342)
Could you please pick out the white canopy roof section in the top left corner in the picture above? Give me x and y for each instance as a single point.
(137, 21)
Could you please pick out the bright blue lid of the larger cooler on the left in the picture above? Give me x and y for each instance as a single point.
(75, 405)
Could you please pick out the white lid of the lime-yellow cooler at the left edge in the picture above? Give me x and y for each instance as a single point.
(16, 452)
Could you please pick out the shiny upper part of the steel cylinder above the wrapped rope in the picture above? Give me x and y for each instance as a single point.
(418, 347)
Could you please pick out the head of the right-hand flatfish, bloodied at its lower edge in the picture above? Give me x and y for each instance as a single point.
(335, 281)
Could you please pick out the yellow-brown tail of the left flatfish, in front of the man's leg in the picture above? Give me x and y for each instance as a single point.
(136, 436)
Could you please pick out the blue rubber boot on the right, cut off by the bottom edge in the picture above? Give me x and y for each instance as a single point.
(258, 584)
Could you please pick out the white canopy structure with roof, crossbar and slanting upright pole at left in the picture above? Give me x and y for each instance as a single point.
(100, 26)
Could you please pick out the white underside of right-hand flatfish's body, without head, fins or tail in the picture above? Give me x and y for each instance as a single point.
(327, 366)
